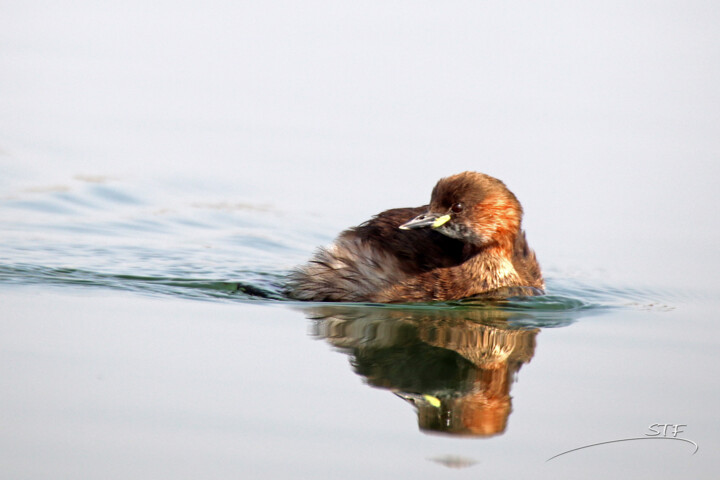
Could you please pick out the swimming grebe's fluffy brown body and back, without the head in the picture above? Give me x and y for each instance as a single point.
(378, 262)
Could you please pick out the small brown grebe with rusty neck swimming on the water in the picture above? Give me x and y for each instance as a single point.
(468, 241)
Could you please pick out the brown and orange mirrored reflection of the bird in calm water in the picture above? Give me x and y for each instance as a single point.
(455, 366)
